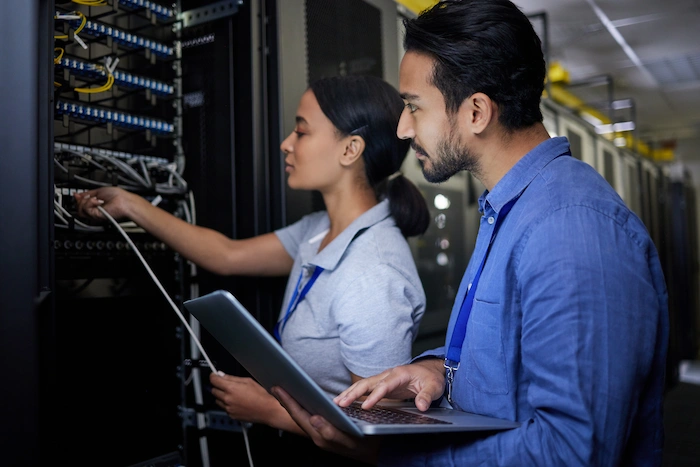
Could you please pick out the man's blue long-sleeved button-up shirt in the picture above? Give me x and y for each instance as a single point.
(568, 331)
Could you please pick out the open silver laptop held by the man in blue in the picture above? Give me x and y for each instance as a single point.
(223, 316)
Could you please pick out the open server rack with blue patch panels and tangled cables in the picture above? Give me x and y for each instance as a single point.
(117, 122)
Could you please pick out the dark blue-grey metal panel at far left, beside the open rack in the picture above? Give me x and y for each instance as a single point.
(25, 267)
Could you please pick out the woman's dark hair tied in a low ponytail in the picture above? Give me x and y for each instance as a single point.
(370, 107)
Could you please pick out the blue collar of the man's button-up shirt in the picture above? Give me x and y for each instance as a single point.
(523, 172)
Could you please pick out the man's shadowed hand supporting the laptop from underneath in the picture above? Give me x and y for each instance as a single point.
(325, 435)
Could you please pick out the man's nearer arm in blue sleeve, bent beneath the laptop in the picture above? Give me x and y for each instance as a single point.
(590, 330)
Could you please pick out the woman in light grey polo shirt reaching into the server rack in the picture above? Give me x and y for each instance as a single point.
(364, 300)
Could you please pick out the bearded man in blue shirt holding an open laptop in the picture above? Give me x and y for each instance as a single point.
(565, 325)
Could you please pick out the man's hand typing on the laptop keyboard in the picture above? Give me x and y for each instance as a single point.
(423, 381)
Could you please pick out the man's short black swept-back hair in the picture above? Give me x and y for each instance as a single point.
(484, 46)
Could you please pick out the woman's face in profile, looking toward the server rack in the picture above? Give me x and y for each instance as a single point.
(313, 149)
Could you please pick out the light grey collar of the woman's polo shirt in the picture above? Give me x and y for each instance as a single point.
(331, 255)
